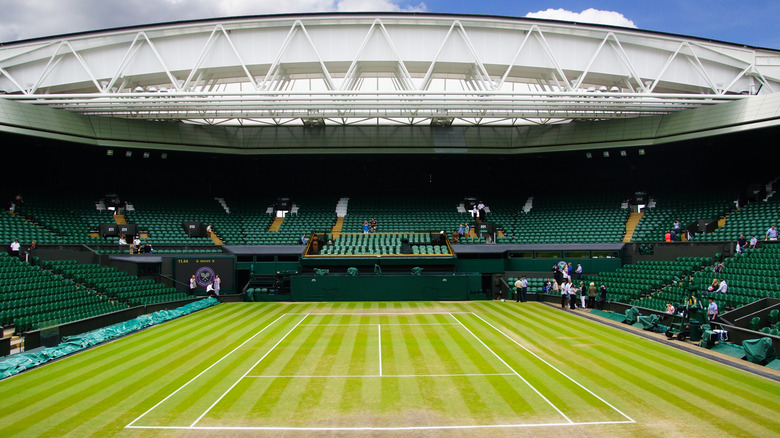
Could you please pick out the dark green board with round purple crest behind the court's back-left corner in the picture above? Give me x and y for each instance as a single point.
(204, 269)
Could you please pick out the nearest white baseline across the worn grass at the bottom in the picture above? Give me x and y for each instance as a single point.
(379, 429)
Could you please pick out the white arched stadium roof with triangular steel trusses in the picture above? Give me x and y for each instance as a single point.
(381, 69)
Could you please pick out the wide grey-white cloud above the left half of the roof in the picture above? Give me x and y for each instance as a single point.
(38, 18)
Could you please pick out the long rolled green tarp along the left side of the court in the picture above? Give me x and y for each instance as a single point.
(71, 344)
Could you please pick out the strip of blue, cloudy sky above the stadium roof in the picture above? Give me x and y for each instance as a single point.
(750, 22)
